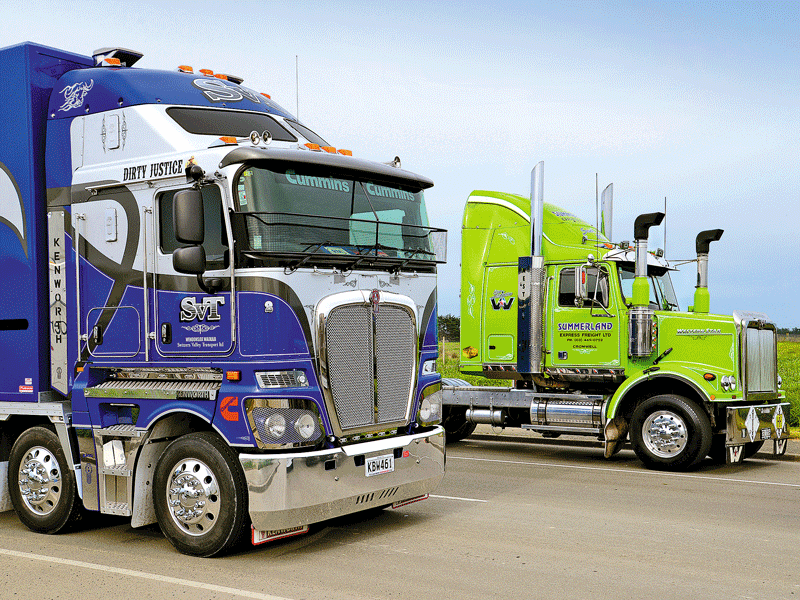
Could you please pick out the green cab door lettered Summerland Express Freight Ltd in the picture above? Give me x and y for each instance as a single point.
(583, 334)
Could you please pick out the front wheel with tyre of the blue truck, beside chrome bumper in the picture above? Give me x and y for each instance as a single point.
(200, 495)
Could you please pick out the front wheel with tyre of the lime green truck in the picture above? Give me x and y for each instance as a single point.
(670, 433)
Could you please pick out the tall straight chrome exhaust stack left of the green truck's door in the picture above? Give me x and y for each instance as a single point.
(530, 290)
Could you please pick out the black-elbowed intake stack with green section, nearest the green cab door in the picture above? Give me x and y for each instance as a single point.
(641, 336)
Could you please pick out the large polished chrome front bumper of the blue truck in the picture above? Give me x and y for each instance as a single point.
(289, 490)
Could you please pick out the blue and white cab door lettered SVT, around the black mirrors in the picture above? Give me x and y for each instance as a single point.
(189, 321)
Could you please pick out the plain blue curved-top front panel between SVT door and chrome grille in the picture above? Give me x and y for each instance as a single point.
(268, 326)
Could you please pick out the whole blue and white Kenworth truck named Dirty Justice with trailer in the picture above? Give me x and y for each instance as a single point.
(210, 318)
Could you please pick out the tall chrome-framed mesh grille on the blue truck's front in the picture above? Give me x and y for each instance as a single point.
(371, 365)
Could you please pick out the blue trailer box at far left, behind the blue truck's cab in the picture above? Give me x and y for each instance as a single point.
(23, 237)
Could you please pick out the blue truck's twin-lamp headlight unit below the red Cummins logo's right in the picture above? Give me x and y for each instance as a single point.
(279, 423)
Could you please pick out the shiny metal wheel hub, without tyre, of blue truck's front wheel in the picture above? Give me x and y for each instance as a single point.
(193, 497)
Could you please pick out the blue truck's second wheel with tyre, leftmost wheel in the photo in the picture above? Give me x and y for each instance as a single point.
(41, 484)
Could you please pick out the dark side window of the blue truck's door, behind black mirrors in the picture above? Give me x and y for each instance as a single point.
(216, 238)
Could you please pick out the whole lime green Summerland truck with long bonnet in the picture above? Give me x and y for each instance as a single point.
(590, 334)
